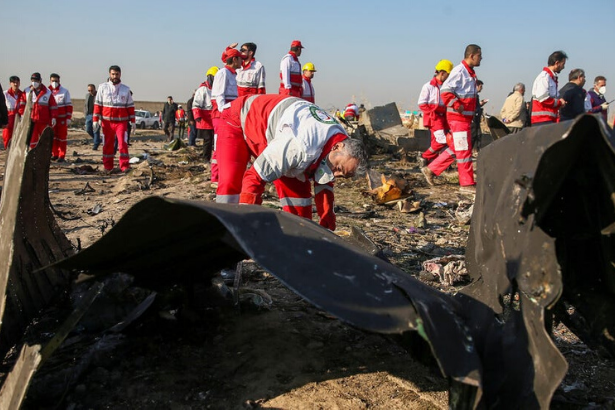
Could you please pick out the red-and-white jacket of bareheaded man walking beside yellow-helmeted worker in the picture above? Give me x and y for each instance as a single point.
(459, 89)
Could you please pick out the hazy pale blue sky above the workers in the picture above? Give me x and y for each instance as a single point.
(371, 52)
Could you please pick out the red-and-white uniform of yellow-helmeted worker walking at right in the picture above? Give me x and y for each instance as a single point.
(434, 117)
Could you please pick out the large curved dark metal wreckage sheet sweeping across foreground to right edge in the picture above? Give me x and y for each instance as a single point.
(542, 230)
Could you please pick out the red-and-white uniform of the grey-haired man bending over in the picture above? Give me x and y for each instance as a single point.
(290, 138)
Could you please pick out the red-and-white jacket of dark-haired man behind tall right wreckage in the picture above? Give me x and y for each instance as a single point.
(545, 97)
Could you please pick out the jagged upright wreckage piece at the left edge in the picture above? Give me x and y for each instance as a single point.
(29, 239)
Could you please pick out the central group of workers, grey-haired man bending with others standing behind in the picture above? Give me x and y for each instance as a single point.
(290, 140)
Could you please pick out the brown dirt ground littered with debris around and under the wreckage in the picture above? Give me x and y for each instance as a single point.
(289, 355)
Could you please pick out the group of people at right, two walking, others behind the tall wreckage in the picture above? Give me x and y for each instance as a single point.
(449, 102)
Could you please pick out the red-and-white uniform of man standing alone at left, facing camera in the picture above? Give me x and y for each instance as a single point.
(114, 107)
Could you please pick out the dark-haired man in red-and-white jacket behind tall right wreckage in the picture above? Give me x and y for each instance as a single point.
(545, 96)
